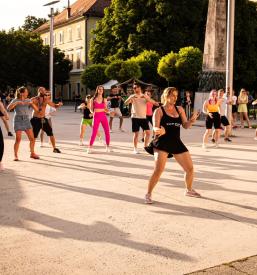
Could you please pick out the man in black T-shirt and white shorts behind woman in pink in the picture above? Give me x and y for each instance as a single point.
(115, 98)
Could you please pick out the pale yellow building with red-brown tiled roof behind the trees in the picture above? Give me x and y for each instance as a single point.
(72, 35)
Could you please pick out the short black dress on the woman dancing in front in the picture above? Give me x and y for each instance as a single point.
(170, 142)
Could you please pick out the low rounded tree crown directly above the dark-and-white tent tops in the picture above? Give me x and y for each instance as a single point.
(123, 70)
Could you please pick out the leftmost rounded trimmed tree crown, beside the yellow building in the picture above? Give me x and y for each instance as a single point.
(94, 75)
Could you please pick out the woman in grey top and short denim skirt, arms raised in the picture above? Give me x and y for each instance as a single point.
(21, 121)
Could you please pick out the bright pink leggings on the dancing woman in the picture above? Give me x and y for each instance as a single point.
(100, 118)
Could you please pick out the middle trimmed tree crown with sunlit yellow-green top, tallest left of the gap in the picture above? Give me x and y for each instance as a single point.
(148, 61)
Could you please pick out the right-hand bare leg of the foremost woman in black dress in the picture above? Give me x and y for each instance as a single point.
(186, 163)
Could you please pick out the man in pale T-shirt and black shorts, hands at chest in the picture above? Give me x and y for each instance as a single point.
(138, 115)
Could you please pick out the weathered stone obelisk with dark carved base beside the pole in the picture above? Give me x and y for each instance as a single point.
(214, 57)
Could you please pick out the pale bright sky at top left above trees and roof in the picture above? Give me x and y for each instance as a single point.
(14, 12)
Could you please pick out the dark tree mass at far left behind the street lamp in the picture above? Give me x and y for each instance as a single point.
(24, 60)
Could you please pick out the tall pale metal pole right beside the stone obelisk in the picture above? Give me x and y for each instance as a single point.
(230, 57)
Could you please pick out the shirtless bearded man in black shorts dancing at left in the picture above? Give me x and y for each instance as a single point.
(39, 121)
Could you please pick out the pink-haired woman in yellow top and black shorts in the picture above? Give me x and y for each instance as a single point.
(211, 108)
